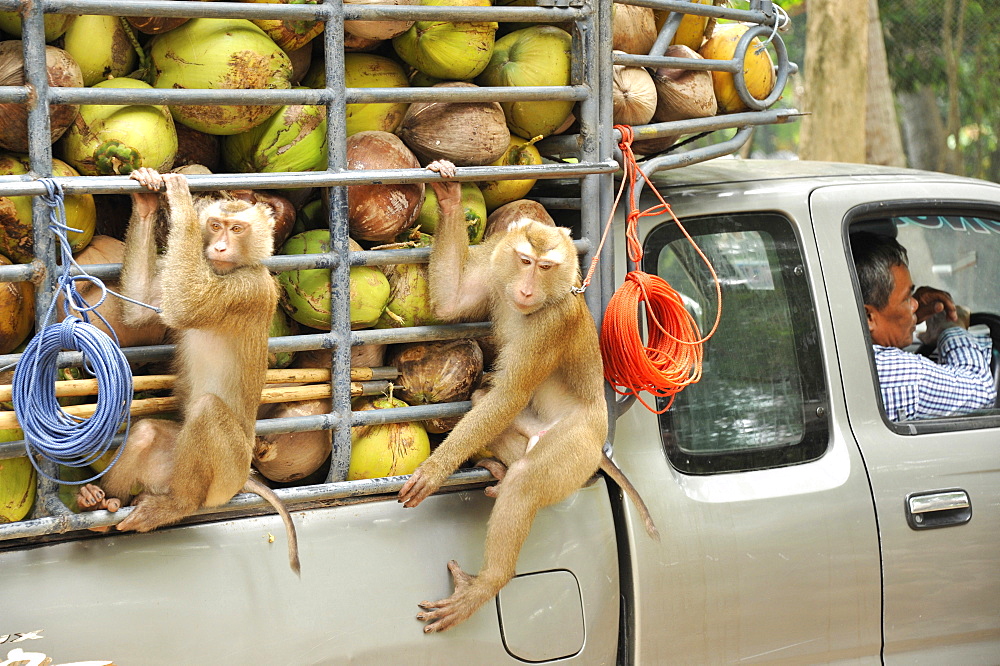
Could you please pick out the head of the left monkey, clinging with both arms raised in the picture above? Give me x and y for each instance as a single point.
(236, 233)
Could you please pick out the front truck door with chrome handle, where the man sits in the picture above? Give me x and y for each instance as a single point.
(936, 482)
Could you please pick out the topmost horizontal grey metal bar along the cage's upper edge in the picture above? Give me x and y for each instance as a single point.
(306, 12)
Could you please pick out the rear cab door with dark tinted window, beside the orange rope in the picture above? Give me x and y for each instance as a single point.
(769, 550)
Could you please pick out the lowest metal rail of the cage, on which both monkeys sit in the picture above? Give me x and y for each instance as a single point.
(289, 496)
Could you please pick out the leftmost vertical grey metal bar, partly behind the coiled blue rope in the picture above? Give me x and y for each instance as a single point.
(40, 161)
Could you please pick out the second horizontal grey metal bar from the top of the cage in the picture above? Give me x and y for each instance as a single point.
(308, 96)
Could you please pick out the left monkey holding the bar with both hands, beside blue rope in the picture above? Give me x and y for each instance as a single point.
(218, 299)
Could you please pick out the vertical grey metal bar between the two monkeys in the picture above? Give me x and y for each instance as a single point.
(340, 305)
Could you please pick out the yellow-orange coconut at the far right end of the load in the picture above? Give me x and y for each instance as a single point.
(758, 68)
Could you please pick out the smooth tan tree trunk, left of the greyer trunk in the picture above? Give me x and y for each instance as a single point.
(836, 81)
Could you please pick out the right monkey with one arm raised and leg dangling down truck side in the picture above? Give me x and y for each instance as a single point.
(544, 417)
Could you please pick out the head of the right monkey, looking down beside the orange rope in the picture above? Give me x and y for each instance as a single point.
(536, 265)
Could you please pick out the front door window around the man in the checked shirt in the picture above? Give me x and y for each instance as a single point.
(959, 253)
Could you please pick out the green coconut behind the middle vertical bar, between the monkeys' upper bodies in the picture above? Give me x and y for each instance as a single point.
(306, 295)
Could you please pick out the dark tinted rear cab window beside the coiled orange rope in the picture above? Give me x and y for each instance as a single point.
(761, 401)
